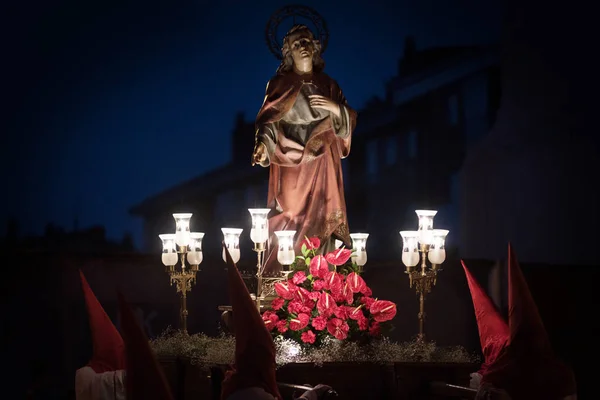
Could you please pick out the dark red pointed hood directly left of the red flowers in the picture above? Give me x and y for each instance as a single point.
(254, 347)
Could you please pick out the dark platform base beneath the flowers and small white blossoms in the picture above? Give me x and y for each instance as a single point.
(400, 381)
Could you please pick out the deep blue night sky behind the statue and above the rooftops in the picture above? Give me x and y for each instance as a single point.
(111, 102)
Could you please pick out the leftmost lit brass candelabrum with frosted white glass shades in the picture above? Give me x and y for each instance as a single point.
(182, 246)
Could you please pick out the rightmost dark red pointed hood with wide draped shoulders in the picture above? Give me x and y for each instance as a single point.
(527, 367)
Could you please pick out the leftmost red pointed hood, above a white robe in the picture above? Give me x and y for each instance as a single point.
(109, 349)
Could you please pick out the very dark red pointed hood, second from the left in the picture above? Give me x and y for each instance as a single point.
(145, 379)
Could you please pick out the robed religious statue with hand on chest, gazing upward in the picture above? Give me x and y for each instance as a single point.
(303, 131)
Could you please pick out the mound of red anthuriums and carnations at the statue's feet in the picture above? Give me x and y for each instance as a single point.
(325, 298)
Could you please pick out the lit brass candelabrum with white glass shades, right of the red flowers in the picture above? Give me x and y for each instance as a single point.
(430, 243)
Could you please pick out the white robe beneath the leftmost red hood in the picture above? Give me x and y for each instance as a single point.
(90, 385)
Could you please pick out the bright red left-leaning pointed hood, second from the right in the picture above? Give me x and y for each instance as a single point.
(493, 330)
